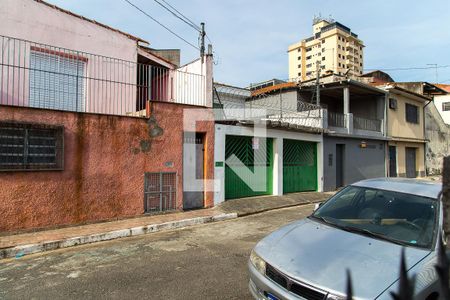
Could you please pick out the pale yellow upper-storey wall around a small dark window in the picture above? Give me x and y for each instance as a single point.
(397, 125)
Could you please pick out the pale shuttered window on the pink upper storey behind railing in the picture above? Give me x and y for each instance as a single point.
(56, 80)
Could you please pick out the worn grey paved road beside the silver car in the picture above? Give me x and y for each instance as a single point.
(201, 262)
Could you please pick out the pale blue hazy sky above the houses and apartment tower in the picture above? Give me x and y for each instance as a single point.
(250, 37)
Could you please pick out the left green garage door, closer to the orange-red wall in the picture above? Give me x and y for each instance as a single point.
(242, 147)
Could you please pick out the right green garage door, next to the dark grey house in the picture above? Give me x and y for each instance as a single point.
(299, 166)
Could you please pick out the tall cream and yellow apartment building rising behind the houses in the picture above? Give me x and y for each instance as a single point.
(333, 46)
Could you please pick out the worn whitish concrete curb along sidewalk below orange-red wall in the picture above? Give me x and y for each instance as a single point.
(19, 251)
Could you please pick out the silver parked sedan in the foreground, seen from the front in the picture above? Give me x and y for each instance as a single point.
(363, 229)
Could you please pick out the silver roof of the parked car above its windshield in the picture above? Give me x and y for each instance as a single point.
(418, 187)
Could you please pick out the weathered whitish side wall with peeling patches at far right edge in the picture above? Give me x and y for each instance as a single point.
(438, 134)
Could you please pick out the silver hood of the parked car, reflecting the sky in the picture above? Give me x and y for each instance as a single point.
(318, 254)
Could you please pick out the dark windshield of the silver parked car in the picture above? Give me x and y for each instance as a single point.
(397, 217)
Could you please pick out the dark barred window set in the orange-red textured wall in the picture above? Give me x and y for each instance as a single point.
(31, 147)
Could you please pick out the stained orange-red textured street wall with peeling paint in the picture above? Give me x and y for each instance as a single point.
(105, 158)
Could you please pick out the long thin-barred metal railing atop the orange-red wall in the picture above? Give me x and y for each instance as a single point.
(44, 76)
